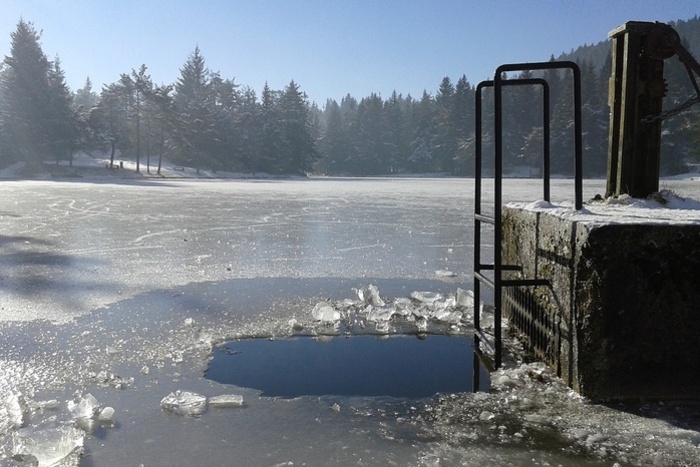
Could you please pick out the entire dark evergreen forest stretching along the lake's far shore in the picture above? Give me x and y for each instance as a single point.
(204, 120)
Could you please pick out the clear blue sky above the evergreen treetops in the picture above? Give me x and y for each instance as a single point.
(329, 47)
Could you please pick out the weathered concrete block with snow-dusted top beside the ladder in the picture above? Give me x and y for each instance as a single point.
(623, 309)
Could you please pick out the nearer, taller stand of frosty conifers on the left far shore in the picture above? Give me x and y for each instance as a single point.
(202, 120)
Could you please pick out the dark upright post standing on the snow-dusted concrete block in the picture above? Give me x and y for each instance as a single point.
(636, 91)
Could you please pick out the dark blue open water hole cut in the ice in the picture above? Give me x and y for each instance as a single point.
(397, 366)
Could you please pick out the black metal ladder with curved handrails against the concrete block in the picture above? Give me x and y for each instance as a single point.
(490, 274)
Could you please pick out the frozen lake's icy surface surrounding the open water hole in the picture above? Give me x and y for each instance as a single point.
(121, 289)
